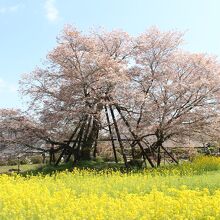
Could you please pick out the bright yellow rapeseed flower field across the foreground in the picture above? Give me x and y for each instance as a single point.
(188, 191)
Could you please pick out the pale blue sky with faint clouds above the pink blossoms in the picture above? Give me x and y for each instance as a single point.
(28, 29)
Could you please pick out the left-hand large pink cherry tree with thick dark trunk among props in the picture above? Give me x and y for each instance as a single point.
(81, 71)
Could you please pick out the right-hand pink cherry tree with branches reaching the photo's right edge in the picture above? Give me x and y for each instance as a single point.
(178, 92)
